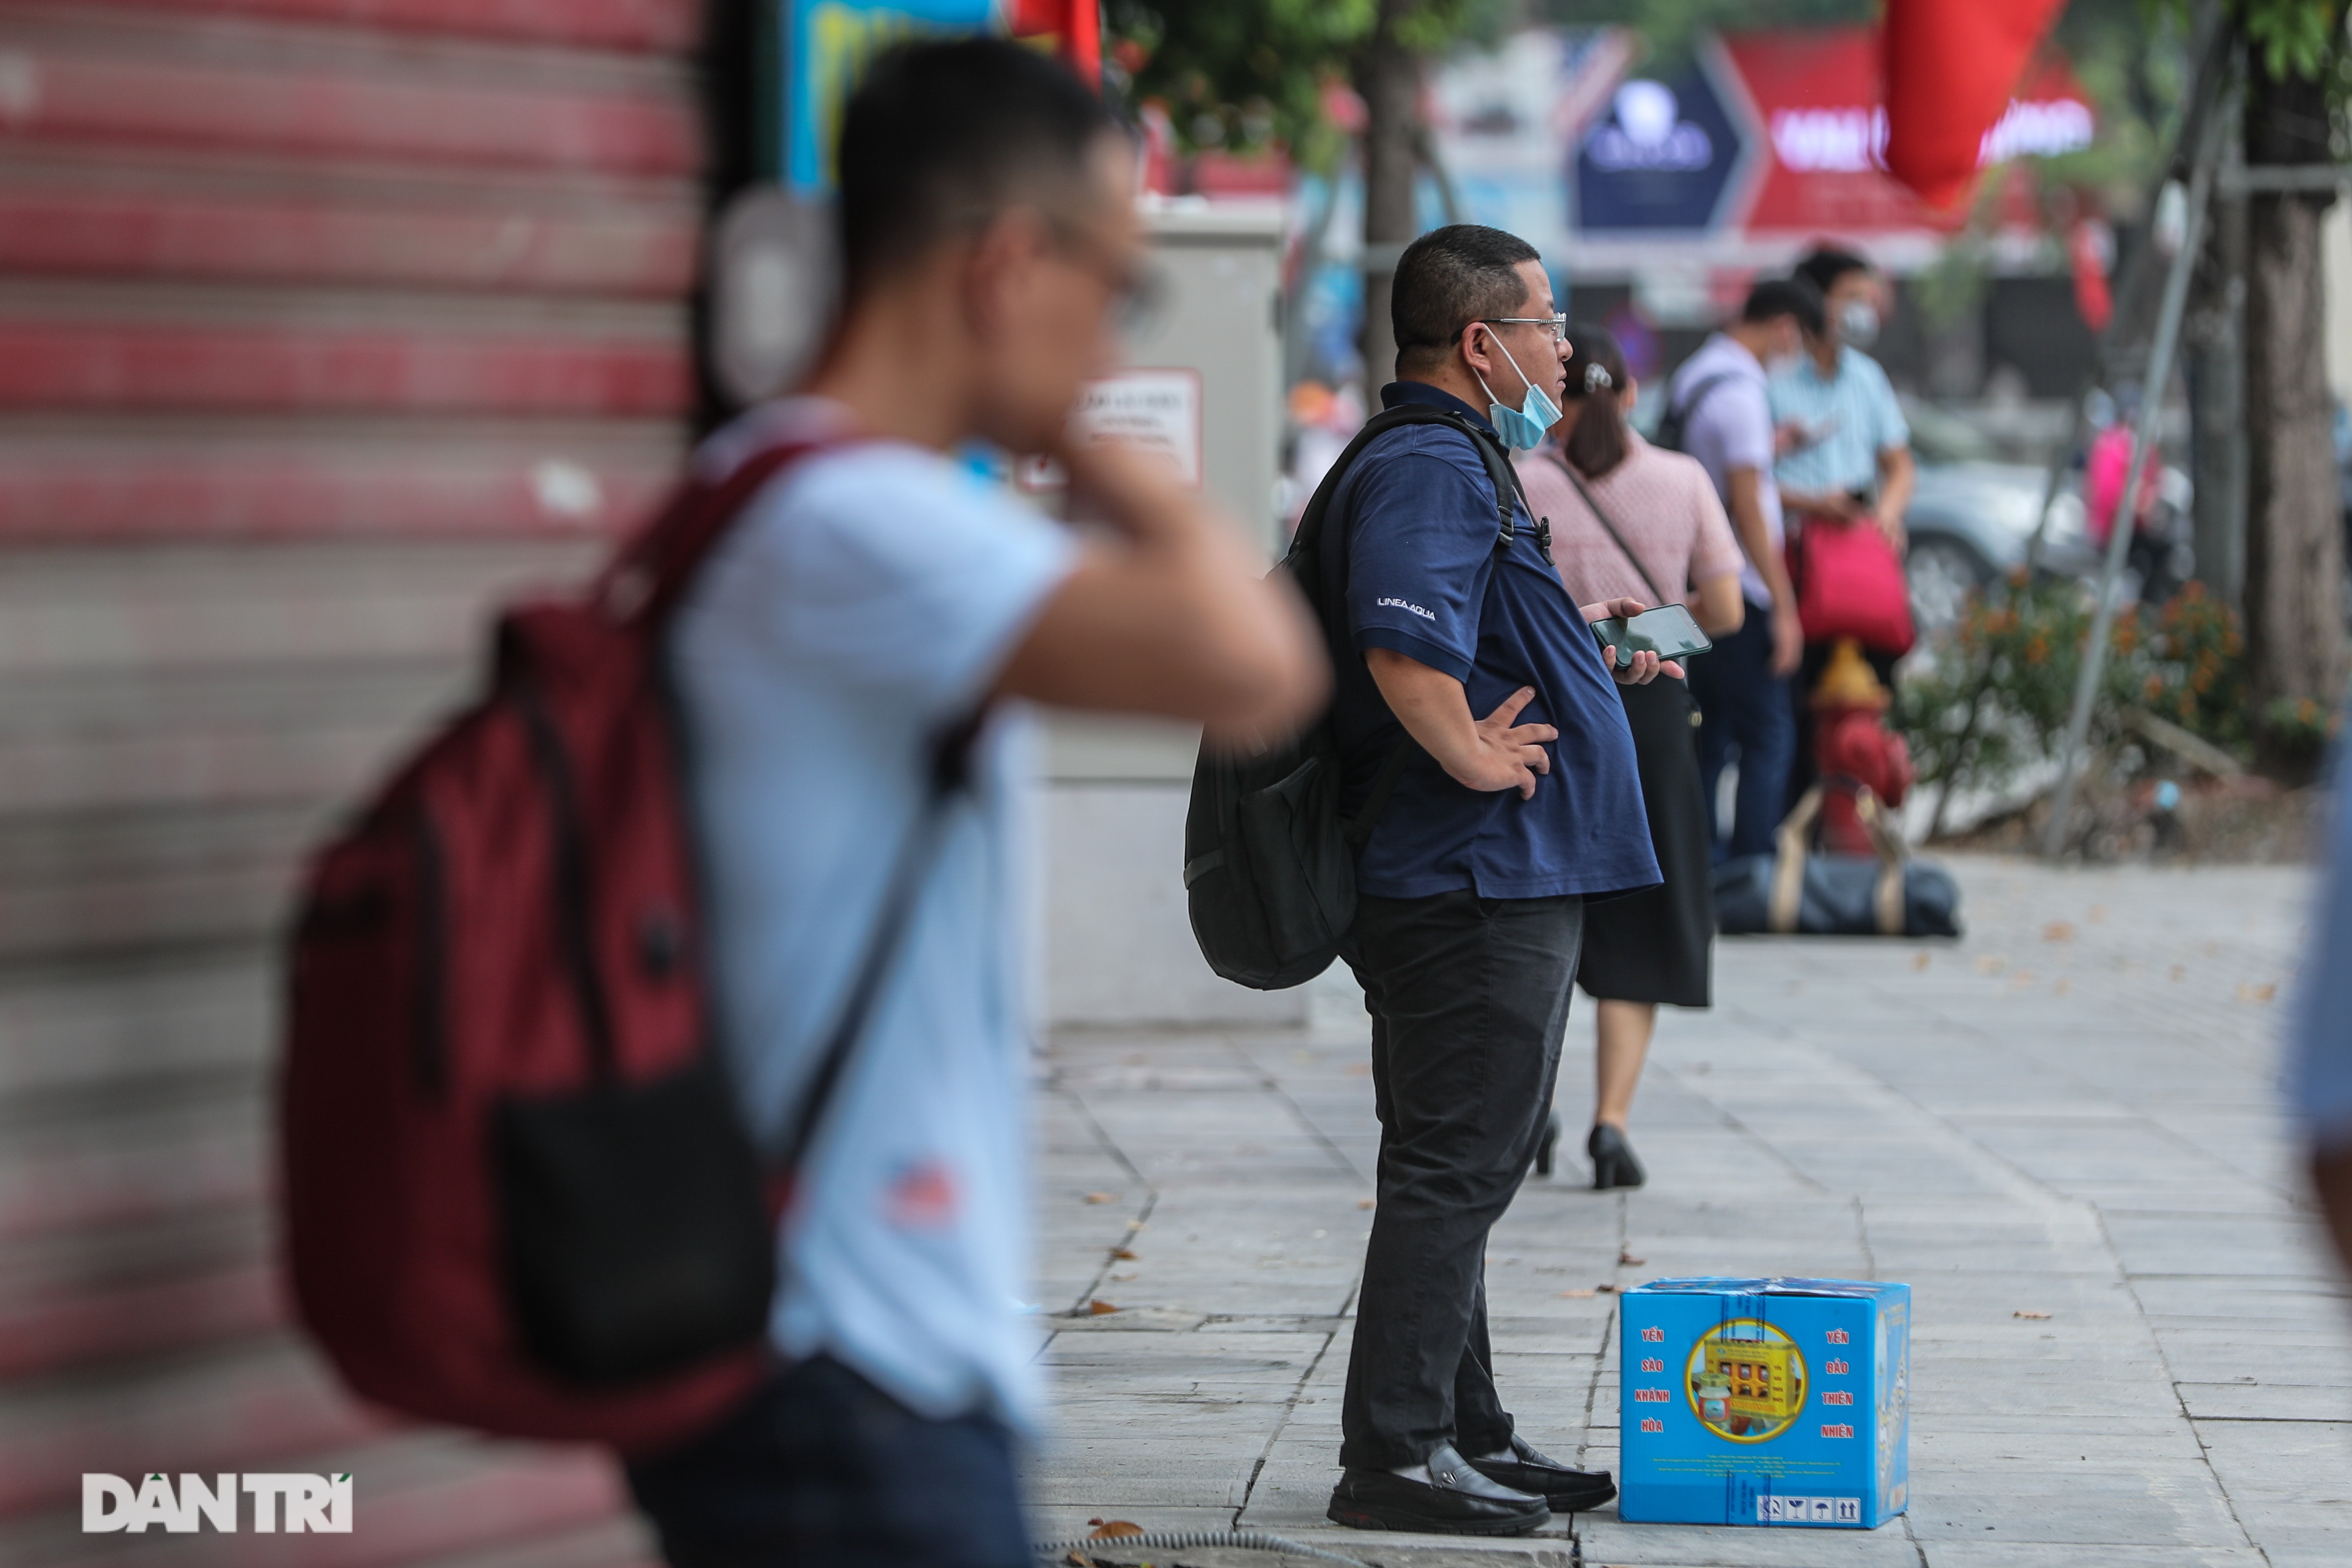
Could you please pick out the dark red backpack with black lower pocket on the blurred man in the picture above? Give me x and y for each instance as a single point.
(516, 1188)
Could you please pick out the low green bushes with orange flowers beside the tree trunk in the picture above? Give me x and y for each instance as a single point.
(2003, 688)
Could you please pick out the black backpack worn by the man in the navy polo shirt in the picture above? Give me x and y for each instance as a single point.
(1269, 866)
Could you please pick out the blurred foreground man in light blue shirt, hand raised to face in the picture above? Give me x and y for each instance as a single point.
(871, 601)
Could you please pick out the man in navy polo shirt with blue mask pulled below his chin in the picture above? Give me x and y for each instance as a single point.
(1476, 878)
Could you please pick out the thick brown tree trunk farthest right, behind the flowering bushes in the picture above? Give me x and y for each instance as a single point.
(2294, 542)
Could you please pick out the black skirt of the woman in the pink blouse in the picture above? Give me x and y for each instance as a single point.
(1659, 946)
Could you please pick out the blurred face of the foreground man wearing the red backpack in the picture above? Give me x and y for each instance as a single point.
(1045, 288)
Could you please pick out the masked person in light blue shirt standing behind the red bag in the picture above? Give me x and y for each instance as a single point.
(1845, 448)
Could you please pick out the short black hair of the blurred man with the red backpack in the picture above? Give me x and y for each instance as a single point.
(942, 135)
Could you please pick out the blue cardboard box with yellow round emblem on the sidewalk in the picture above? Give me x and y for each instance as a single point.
(1765, 1402)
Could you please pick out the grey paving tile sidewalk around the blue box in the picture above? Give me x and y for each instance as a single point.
(2069, 1113)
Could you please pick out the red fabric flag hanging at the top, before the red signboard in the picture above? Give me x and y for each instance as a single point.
(1951, 67)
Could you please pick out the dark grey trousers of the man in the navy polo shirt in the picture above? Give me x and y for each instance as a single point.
(1469, 1003)
